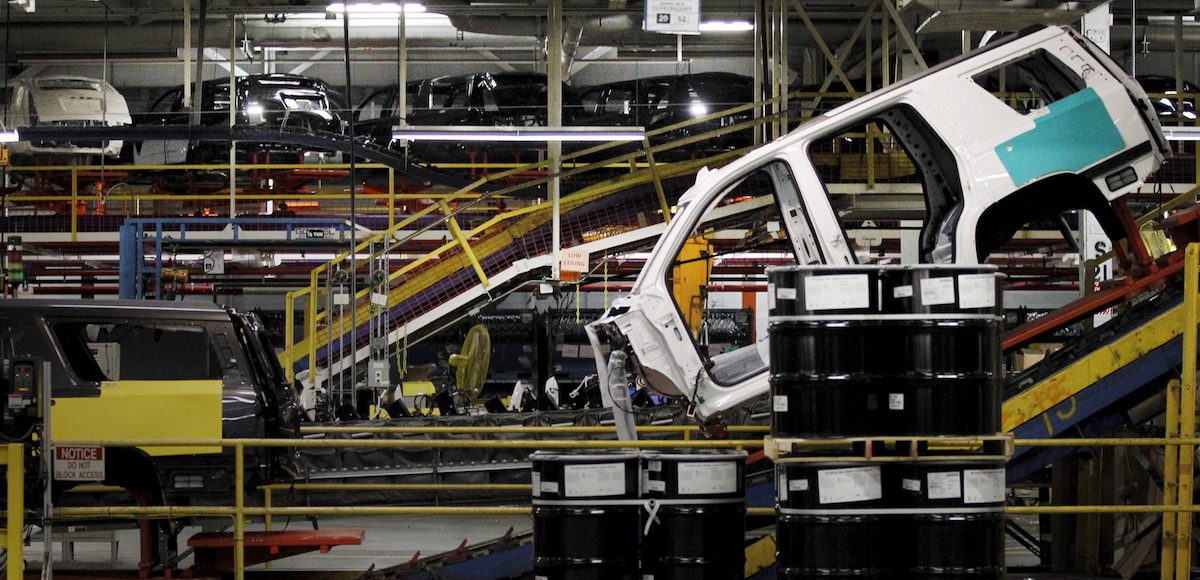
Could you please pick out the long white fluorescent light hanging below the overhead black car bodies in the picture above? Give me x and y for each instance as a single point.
(524, 135)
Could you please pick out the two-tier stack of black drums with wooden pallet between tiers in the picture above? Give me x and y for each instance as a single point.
(895, 360)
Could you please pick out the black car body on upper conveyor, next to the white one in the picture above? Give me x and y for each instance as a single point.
(290, 103)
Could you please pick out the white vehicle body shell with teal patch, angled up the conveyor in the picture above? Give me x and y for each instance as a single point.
(986, 168)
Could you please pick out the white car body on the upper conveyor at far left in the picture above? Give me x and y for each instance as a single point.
(65, 101)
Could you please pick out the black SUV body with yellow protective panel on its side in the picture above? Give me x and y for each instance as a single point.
(133, 369)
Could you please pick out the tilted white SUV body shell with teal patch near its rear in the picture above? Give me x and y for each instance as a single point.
(974, 124)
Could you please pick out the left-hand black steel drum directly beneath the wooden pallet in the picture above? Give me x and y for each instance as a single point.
(831, 521)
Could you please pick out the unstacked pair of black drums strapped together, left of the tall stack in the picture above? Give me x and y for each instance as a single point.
(651, 516)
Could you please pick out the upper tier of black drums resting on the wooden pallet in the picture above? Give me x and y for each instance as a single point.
(916, 362)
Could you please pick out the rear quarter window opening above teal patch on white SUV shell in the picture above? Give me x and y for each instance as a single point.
(1031, 83)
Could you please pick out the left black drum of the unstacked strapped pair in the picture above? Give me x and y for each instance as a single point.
(586, 515)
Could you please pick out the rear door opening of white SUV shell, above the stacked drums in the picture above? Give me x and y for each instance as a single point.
(905, 158)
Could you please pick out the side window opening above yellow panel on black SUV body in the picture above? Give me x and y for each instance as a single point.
(99, 351)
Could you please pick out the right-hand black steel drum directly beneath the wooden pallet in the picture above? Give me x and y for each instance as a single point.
(953, 521)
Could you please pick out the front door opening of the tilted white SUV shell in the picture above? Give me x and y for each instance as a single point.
(741, 235)
